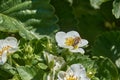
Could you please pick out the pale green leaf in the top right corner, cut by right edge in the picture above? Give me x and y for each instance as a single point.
(116, 8)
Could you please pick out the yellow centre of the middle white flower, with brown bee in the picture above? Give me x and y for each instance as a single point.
(72, 41)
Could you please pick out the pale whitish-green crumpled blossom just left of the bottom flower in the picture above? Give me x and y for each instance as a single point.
(58, 62)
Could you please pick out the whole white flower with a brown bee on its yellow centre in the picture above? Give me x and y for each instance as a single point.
(71, 40)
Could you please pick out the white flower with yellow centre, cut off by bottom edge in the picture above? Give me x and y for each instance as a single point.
(74, 72)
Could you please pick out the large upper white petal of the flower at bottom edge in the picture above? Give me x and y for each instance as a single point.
(77, 69)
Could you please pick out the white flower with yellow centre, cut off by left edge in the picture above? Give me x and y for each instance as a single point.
(7, 46)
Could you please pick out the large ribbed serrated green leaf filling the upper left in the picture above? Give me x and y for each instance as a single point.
(33, 19)
